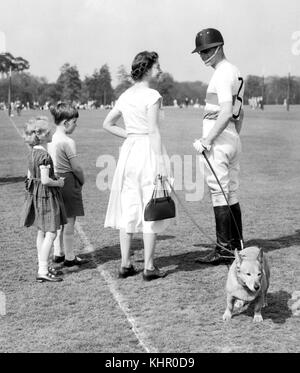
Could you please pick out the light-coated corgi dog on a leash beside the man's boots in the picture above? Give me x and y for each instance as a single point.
(248, 281)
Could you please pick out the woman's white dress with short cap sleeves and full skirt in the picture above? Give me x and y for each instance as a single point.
(132, 184)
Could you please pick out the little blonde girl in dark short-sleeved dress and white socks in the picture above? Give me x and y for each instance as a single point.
(46, 209)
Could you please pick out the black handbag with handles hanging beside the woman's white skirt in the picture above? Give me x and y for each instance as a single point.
(160, 208)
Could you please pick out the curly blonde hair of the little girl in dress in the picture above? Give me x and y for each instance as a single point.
(35, 130)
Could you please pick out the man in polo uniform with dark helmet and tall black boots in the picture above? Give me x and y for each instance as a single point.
(223, 116)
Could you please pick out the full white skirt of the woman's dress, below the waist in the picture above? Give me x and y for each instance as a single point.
(132, 187)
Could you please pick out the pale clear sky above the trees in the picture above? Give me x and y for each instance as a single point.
(258, 34)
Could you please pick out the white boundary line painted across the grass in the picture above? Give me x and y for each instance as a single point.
(111, 283)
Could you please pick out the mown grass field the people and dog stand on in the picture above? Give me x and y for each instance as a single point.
(93, 311)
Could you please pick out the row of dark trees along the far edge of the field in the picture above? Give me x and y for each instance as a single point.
(98, 88)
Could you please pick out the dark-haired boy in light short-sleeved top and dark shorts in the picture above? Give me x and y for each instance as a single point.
(63, 152)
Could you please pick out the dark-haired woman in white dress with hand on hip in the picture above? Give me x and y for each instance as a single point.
(142, 158)
